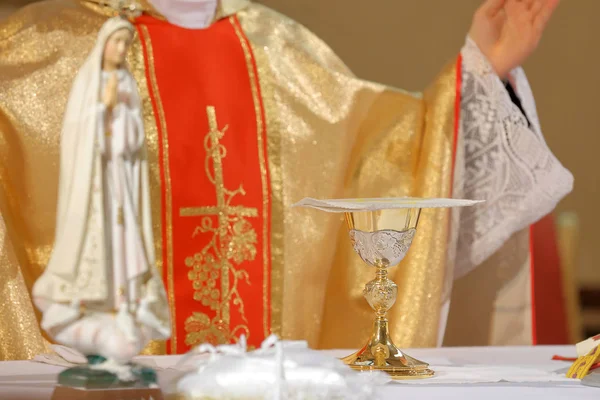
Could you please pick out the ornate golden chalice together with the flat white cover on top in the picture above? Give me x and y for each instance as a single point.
(381, 231)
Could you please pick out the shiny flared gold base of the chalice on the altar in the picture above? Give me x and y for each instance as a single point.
(398, 365)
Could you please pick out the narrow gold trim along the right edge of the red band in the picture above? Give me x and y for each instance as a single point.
(263, 171)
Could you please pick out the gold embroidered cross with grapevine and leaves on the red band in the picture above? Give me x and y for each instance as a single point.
(232, 243)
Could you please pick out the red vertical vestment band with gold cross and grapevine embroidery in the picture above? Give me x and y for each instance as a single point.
(214, 177)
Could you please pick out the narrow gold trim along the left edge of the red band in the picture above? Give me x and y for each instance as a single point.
(169, 202)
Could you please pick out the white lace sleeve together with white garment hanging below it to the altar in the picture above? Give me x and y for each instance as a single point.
(504, 161)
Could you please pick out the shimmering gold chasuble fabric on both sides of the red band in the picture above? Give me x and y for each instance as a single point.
(329, 135)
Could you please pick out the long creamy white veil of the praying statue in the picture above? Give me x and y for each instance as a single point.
(78, 158)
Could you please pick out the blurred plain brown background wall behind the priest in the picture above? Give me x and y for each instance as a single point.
(405, 43)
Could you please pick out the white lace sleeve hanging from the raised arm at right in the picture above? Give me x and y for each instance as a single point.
(506, 162)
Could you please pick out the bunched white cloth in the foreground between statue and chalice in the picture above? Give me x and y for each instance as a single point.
(276, 371)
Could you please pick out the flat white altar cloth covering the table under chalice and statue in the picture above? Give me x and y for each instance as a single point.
(488, 373)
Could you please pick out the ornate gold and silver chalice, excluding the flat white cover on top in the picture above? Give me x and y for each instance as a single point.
(382, 239)
